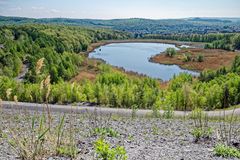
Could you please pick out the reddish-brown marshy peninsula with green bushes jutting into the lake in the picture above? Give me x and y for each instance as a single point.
(198, 59)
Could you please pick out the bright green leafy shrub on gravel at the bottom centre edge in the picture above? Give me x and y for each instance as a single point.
(105, 152)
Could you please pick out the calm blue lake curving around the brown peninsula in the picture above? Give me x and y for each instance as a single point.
(135, 57)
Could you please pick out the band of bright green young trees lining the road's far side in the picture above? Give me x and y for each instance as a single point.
(118, 90)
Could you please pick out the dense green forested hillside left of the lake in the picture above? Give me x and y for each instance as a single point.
(59, 45)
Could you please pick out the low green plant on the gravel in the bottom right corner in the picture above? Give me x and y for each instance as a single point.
(226, 151)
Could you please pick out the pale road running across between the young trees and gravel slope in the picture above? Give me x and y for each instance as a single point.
(103, 111)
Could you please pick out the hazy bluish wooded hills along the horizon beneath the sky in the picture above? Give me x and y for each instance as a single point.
(140, 26)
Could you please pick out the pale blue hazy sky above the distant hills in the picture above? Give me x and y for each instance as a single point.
(110, 9)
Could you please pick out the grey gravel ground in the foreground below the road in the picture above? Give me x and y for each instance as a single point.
(143, 138)
